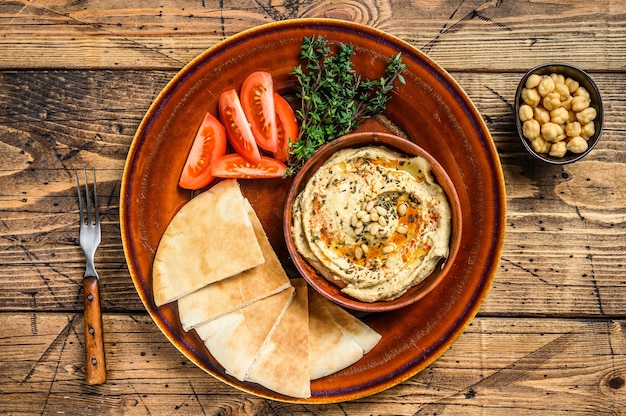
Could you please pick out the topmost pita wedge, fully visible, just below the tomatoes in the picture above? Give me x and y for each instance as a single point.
(209, 239)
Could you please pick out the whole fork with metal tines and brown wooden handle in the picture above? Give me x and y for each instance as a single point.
(95, 365)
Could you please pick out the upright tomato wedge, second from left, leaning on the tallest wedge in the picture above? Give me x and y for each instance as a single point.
(237, 127)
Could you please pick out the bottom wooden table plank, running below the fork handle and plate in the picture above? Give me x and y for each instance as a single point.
(513, 366)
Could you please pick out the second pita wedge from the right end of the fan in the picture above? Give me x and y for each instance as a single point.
(330, 349)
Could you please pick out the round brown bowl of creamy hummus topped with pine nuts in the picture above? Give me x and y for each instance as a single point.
(390, 271)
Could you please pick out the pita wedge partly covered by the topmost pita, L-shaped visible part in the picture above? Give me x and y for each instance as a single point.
(235, 292)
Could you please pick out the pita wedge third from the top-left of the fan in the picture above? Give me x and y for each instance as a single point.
(236, 338)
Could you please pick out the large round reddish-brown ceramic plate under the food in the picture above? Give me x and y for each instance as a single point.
(431, 109)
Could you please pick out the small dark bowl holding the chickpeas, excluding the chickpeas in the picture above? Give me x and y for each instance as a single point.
(584, 80)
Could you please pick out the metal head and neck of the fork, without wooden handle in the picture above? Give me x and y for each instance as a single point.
(89, 226)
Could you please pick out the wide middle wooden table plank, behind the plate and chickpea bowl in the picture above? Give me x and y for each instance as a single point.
(64, 120)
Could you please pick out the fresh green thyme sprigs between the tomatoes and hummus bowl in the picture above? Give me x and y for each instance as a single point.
(334, 98)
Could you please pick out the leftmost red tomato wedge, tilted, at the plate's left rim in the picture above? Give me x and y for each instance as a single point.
(208, 145)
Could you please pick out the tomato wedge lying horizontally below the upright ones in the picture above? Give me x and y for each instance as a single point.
(234, 166)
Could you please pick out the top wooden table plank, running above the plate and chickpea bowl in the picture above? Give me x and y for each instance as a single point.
(500, 35)
